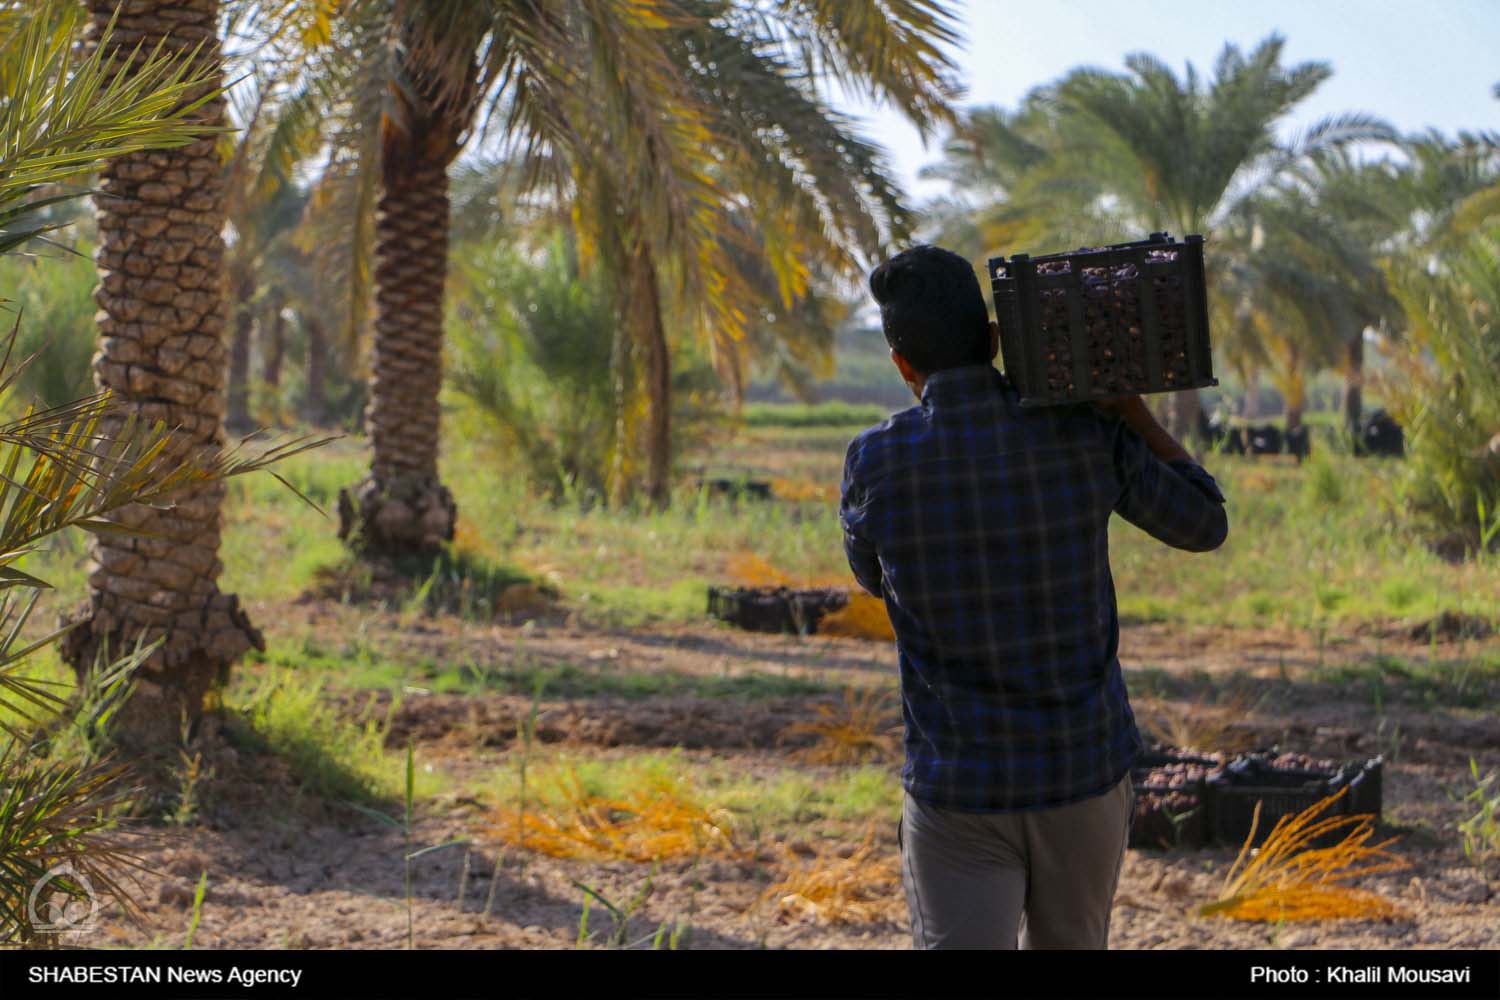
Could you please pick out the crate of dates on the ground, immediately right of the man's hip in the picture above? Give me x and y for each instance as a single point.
(1172, 800)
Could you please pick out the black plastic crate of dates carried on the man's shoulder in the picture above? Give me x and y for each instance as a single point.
(1105, 322)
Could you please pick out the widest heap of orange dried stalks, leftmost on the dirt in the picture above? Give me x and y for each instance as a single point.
(656, 822)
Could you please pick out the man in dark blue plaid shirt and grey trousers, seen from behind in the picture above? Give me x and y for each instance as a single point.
(985, 530)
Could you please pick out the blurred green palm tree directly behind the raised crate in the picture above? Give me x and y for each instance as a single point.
(1150, 151)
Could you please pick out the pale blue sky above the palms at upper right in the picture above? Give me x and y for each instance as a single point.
(1418, 64)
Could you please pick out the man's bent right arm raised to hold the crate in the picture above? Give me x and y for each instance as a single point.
(1163, 491)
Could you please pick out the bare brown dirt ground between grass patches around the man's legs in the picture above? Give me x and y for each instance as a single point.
(284, 875)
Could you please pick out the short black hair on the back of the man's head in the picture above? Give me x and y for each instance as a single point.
(932, 310)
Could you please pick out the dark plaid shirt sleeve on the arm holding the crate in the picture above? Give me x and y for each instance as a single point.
(1177, 503)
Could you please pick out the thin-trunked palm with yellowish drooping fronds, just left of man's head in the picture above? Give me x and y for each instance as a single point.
(791, 190)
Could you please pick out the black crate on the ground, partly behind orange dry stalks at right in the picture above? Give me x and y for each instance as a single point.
(1285, 785)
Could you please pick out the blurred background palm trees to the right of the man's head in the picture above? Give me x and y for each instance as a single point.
(1318, 245)
